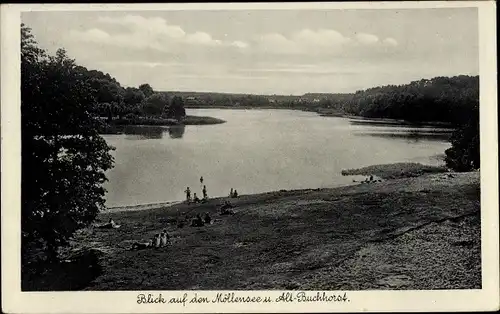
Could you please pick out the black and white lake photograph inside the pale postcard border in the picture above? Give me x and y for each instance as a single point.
(300, 151)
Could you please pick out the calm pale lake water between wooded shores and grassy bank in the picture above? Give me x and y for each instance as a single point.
(257, 151)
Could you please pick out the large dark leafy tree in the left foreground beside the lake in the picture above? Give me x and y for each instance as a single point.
(63, 157)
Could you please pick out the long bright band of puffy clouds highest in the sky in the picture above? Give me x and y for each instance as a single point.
(138, 32)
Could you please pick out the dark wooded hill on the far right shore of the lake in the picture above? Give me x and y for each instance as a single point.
(444, 99)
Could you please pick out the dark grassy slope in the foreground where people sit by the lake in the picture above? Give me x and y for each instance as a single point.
(410, 233)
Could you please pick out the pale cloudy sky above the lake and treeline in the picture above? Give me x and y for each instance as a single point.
(265, 51)
